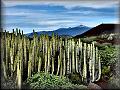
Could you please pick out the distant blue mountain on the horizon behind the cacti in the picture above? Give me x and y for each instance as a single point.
(71, 31)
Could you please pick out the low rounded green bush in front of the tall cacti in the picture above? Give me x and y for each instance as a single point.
(50, 81)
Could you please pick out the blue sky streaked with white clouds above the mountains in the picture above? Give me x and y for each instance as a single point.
(51, 15)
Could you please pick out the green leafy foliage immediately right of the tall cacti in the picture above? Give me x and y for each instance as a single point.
(108, 58)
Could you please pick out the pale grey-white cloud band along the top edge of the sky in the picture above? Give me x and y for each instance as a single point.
(67, 4)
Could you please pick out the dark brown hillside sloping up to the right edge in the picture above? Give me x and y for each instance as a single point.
(99, 30)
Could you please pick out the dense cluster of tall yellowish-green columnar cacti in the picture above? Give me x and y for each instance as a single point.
(22, 56)
